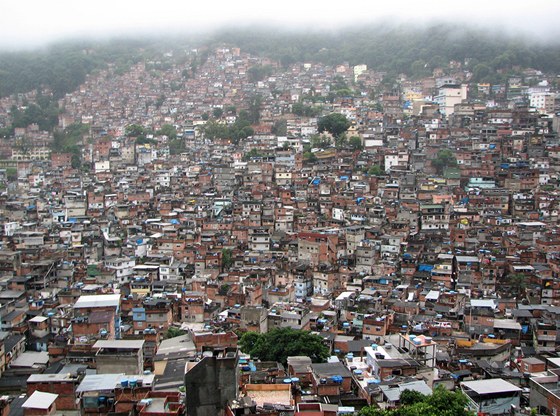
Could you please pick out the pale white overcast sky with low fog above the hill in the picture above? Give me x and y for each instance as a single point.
(30, 23)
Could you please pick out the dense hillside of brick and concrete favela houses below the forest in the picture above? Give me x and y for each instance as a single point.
(241, 237)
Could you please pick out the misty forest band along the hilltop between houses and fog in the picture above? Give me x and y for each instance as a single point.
(395, 49)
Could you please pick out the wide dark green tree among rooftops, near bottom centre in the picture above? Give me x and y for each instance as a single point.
(281, 343)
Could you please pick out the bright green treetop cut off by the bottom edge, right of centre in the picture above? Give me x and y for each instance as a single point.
(440, 403)
